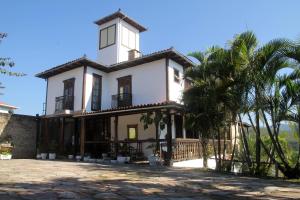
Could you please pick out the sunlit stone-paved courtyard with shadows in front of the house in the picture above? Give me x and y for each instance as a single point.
(35, 179)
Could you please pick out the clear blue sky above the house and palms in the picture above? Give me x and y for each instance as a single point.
(43, 34)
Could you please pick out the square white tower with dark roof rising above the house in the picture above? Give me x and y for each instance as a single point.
(119, 38)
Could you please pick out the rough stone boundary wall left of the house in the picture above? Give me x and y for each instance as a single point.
(22, 129)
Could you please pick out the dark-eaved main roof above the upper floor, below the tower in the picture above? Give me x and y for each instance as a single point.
(83, 61)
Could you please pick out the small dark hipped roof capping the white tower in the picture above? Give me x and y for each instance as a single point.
(121, 15)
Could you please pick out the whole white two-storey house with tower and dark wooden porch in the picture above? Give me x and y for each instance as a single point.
(95, 107)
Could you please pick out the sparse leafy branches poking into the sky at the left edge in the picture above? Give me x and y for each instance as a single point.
(6, 63)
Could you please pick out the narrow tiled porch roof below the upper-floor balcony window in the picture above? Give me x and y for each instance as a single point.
(133, 108)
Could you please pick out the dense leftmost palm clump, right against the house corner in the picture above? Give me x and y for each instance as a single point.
(206, 100)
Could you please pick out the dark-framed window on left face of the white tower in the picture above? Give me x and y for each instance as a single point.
(107, 36)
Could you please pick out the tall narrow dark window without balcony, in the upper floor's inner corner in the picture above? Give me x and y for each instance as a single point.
(96, 92)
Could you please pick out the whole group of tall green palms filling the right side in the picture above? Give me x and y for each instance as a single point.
(245, 80)
